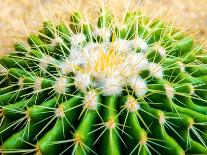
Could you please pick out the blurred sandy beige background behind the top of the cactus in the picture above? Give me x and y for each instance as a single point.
(18, 16)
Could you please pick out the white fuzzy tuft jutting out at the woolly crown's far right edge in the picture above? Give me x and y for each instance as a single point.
(156, 70)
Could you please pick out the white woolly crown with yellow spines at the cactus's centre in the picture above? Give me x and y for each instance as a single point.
(109, 66)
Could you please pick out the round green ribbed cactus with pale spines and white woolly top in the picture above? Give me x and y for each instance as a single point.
(138, 87)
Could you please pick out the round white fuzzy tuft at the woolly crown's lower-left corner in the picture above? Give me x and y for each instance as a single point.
(82, 81)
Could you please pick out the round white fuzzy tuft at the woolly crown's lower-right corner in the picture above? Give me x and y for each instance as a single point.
(139, 86)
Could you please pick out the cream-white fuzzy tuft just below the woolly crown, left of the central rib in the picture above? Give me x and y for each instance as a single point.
(91, 100)
